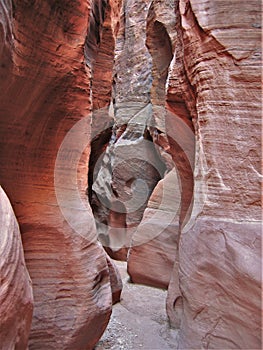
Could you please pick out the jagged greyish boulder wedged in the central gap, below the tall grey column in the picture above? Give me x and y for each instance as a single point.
(129, 170)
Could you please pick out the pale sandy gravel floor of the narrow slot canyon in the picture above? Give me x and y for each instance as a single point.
(139, 321)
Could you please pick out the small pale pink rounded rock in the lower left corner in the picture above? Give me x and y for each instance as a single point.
(16, 294)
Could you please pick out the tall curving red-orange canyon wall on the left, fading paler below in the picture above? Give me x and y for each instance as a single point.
(45, 90)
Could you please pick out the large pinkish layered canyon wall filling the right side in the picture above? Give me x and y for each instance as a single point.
(218, 302)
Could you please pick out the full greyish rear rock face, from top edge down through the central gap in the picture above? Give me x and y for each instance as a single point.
(119, 201)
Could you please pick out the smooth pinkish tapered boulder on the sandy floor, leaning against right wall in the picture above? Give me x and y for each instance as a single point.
(154, 245)
